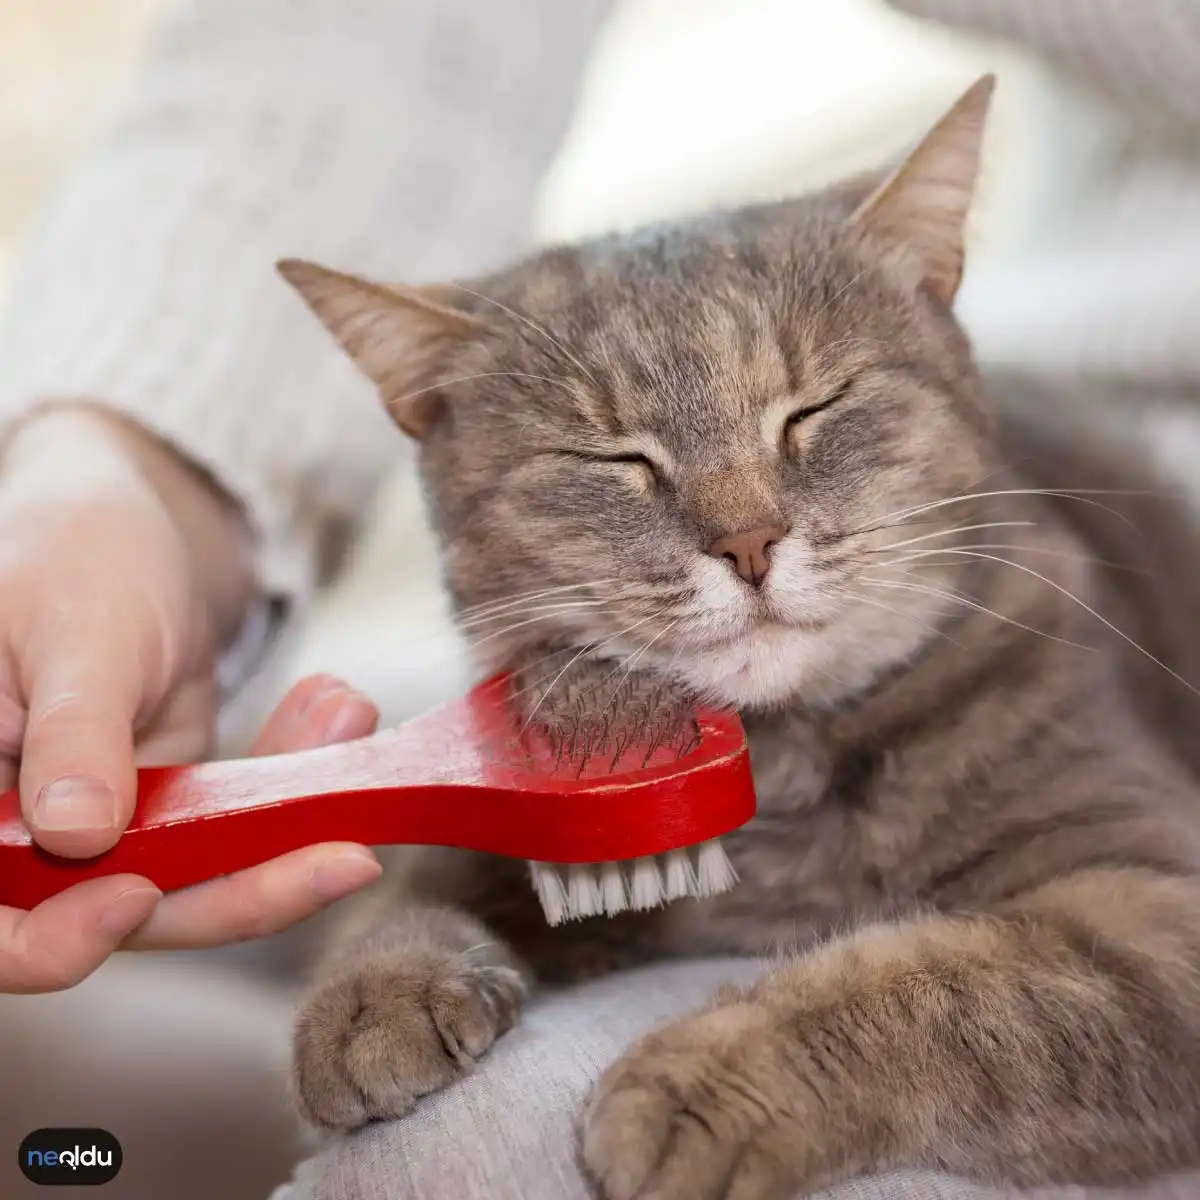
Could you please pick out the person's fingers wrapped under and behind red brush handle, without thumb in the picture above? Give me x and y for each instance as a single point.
(68, 937)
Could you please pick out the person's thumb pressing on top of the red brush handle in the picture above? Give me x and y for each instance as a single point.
(79, 779)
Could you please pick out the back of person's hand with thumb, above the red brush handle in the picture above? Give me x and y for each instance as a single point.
(122, 573)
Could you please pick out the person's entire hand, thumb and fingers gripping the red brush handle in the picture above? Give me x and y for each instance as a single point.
(122, 573)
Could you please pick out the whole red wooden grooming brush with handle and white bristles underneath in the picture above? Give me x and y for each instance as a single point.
(464, 776)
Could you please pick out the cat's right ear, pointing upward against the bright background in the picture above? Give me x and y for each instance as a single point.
(920, 212)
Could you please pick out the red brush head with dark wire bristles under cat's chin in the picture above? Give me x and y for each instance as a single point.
(615, 779)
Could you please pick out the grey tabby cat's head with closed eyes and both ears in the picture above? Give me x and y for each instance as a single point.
(686, 446)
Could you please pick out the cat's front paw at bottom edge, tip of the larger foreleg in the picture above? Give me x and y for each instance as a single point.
(692, 1113)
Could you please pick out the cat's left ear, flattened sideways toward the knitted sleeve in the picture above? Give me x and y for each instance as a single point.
(399, 338)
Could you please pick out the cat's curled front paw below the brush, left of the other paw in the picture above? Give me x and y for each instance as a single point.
(374, 1040)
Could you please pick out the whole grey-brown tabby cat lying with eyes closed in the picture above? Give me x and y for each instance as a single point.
(748, 460)
